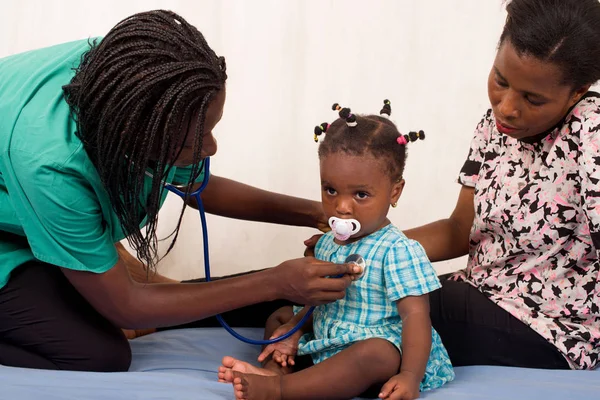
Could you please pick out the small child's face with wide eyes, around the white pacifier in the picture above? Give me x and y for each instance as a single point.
(358, 187)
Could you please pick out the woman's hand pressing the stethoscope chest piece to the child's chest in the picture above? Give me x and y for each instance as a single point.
(308, 280)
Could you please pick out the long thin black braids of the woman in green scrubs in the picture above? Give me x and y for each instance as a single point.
(133, 97)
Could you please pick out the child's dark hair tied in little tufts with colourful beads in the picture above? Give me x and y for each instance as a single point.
(357, 135)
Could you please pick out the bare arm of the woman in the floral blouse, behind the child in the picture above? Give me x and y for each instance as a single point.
(448, 238)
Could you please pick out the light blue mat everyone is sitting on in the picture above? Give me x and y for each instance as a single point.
(182, 365)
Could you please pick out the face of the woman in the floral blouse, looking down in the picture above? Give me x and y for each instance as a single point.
(527, 94)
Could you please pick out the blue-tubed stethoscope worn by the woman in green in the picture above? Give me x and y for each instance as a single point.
(354, 258)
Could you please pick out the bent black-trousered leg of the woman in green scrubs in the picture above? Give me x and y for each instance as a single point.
(46, 324)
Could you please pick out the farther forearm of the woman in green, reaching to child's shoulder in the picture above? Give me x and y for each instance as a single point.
(232, 199)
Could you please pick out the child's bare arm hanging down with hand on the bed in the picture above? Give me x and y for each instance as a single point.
(416, 346)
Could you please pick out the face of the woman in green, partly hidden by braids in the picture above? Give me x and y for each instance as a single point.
(209, 143)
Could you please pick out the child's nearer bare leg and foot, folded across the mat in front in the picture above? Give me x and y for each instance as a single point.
(343, 376)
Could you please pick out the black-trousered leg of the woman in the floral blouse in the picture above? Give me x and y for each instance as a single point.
(476, 331)
